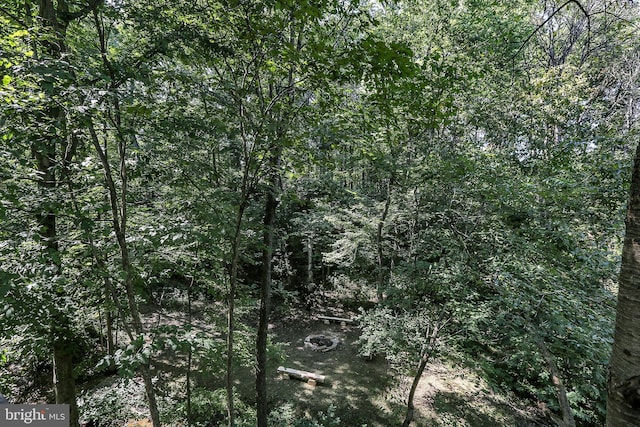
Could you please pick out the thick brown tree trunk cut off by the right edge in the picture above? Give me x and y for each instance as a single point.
(623, 401)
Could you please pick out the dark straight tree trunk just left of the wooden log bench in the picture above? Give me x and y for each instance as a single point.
(271, 204)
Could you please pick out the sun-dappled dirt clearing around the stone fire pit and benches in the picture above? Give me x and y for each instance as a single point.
(368, 392)
